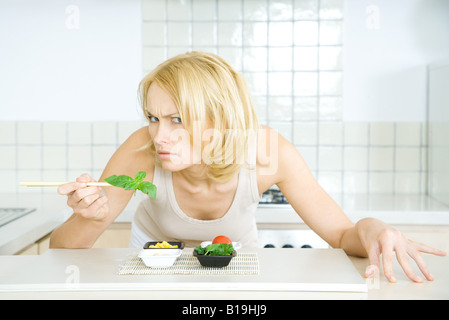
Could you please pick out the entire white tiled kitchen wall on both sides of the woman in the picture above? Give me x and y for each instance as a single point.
(290, 53)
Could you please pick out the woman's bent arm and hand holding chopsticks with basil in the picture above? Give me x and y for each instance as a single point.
(95, 208)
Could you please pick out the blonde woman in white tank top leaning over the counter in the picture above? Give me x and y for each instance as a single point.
(210, 160)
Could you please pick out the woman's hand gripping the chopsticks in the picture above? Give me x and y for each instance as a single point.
(88, 202)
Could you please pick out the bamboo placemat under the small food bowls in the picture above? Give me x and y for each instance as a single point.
(242, 264)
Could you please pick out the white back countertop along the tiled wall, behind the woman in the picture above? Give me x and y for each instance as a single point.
(52, 211)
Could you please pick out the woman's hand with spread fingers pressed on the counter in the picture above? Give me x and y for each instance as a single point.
(378, 238)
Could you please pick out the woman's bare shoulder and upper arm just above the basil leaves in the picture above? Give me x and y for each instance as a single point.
(132, 156)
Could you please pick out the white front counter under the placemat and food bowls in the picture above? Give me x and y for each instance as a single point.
(93, 274)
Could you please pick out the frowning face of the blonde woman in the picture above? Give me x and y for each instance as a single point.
(170, 138)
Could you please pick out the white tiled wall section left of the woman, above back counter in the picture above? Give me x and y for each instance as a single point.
(57, 151)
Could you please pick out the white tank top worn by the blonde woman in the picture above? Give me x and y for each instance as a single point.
(163, 219)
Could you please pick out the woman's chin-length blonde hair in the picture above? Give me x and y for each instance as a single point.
(207, 90)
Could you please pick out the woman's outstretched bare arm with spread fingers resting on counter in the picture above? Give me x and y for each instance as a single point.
(369, 237)
